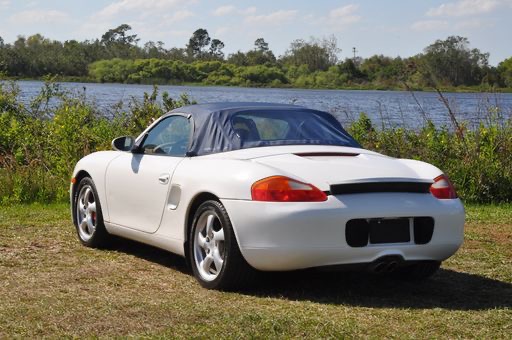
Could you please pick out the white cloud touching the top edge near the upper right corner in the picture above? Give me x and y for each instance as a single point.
(464, 8)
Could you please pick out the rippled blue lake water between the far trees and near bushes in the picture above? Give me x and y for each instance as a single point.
(385, 108)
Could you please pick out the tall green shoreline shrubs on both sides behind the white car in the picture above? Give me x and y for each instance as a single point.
(40, 143)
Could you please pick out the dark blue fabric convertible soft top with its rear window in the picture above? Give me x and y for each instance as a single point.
(221, 127)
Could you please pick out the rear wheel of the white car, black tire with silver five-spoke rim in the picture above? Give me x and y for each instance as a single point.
(235, 272)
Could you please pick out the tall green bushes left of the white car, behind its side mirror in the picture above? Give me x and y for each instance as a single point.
(40, 143)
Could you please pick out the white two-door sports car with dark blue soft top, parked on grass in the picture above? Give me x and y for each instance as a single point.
(235, 187)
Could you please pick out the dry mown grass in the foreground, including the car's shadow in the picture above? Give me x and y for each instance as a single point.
(51, 286)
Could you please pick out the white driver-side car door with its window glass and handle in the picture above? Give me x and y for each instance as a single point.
(137, 183)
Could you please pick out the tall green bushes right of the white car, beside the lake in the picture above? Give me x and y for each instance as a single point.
(478, 162)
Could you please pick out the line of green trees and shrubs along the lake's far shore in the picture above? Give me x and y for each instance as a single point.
(314, 63)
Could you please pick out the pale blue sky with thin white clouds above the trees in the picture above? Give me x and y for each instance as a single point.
(390, 27)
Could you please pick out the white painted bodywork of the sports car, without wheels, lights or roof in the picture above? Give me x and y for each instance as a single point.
(271, 235)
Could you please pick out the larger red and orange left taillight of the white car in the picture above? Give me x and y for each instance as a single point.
(284, 189)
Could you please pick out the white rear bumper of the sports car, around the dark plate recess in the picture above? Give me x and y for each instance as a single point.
(288, 236)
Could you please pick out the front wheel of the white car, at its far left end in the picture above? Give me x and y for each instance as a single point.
(93, 234)
